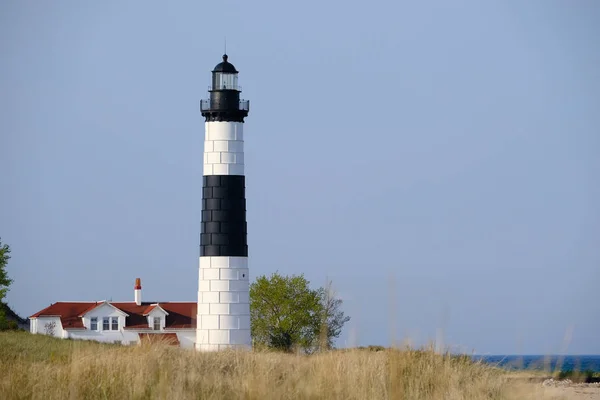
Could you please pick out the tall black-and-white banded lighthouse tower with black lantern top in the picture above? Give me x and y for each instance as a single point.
(223, 292)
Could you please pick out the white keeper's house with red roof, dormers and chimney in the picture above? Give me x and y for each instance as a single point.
(119, 322)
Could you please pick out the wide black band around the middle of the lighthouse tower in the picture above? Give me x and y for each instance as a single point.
(223, 216)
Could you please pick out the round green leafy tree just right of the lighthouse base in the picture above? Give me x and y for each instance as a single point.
(286, 314)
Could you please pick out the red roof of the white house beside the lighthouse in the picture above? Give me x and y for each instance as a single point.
(181, 315)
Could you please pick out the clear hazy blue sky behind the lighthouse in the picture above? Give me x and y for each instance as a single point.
(437, 161)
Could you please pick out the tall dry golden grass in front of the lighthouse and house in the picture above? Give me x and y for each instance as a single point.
(38, 367)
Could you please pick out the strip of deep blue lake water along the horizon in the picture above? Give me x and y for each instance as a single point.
(565, 363)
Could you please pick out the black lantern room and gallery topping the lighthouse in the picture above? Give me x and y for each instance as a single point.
(224, 103)
